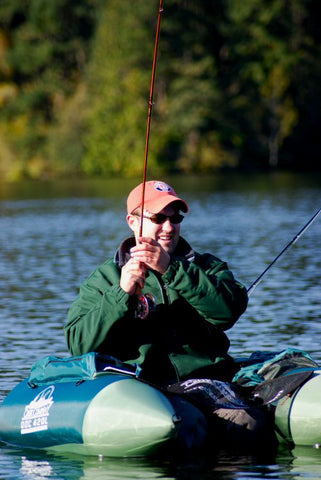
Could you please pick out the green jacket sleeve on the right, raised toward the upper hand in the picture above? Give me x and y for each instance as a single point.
(210, 287)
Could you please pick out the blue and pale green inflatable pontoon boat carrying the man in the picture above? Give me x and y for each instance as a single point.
(75, 405)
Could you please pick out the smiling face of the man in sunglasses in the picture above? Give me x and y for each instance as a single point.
(166, 234)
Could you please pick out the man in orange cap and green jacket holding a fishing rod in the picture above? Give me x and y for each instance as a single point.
(158, 304)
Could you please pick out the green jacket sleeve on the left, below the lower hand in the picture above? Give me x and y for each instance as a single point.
(100, 303)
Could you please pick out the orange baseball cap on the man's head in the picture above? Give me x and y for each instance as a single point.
(157, 196)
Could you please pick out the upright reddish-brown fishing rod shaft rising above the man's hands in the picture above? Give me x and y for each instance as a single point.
(149, 116)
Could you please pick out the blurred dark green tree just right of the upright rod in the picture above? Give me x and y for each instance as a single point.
(191, 98)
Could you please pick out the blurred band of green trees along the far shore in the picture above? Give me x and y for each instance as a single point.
(237, 86)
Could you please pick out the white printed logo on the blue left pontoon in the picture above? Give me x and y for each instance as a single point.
(35, 416)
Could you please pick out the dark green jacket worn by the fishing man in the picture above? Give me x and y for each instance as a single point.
(183, 337)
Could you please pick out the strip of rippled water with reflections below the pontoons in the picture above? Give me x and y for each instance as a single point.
(302, 463)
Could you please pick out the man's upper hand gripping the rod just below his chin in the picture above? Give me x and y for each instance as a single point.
(151, 254)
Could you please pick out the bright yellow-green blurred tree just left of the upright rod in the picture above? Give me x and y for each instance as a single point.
(118, 88)
